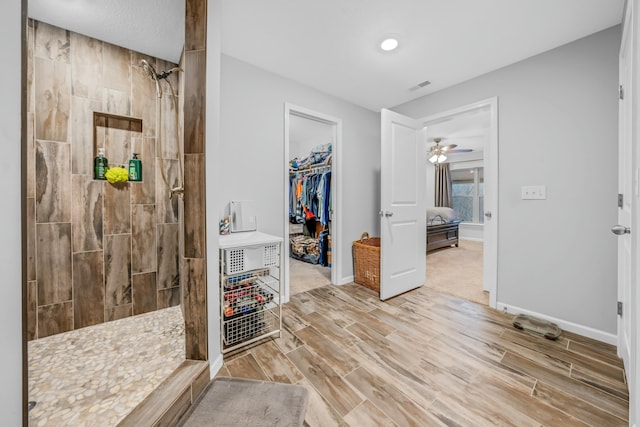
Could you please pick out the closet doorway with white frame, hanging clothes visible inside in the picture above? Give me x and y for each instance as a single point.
(311, 211)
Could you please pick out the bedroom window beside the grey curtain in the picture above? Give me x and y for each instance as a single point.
(467, 188)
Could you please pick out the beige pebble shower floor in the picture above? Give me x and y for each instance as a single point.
(95, 376)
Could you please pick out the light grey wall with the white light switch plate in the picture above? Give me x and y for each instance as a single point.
(557, 112)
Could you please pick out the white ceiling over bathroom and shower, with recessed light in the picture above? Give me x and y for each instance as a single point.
(333, 45)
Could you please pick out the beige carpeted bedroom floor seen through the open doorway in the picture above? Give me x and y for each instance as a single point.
(458, 271)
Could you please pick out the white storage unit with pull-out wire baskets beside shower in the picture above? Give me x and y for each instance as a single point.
(250, 288)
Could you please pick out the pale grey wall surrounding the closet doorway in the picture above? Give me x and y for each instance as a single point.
(252, 149)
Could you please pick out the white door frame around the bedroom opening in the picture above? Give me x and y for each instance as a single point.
(490, 158)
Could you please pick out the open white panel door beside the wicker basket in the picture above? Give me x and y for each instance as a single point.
(403, 205)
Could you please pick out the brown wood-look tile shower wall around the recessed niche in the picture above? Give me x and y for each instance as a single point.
(96, 252)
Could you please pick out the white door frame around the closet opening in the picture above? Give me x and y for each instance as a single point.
(336, 191)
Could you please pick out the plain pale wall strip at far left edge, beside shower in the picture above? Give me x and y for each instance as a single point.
(10, 216)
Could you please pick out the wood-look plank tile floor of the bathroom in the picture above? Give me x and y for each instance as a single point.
(458, 363)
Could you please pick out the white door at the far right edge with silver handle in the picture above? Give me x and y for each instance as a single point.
(625, 190)
